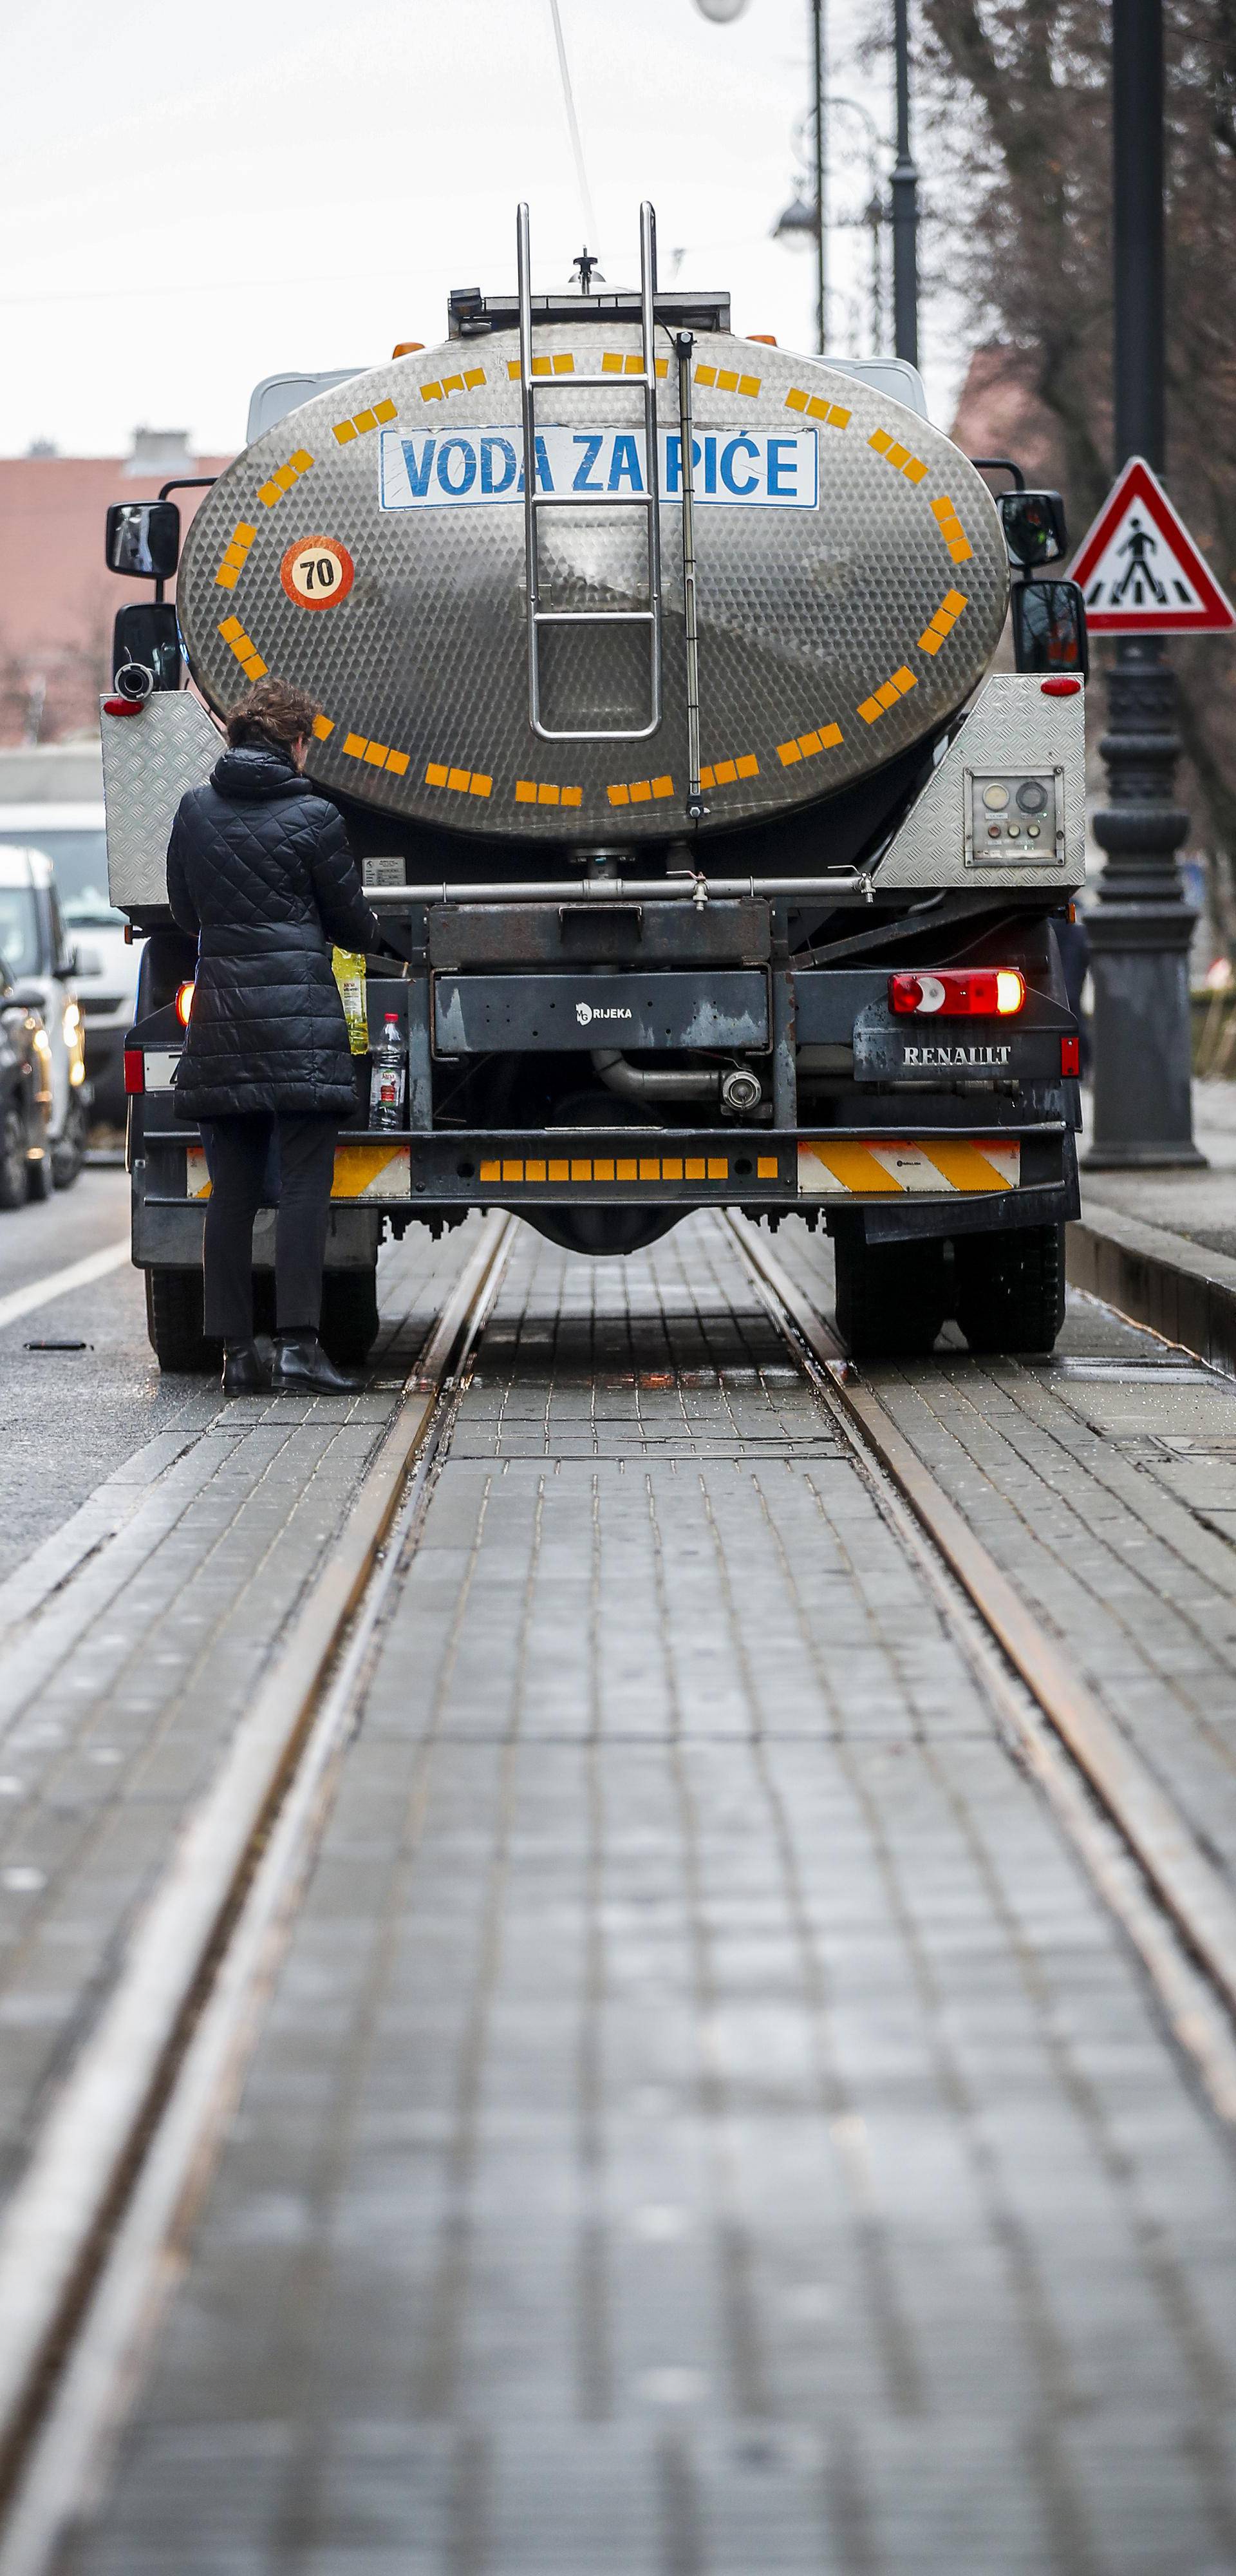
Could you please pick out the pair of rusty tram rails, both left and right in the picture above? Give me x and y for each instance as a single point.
(99, 2230)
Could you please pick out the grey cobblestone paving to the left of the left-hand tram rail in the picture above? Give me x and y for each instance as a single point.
(133, 1640)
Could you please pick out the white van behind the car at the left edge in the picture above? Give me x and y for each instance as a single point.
(73, 838)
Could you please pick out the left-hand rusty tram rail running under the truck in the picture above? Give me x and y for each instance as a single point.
(133, 2132)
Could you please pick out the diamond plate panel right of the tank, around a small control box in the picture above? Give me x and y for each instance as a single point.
(1011, 728)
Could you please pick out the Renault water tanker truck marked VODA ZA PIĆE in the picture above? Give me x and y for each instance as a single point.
(655, 676)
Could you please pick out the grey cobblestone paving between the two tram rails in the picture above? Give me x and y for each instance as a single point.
(707, 2124)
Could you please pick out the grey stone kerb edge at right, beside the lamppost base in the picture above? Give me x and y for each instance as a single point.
(1157, 1279)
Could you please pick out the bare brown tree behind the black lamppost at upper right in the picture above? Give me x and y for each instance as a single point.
(1018, 94)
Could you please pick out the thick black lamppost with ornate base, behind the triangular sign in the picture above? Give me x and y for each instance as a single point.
(1142, 926)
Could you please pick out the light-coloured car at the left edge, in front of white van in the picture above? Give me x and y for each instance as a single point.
(42, 970)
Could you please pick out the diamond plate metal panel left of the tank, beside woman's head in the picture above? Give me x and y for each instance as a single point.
(148, 764)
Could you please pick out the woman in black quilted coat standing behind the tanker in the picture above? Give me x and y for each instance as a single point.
(259, 867)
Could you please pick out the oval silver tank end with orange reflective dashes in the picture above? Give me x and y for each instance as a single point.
(851, 586)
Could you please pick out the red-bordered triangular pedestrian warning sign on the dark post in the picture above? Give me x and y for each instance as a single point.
(1142, 573)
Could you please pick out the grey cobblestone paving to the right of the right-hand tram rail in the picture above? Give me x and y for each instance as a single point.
(1111, 1501)
